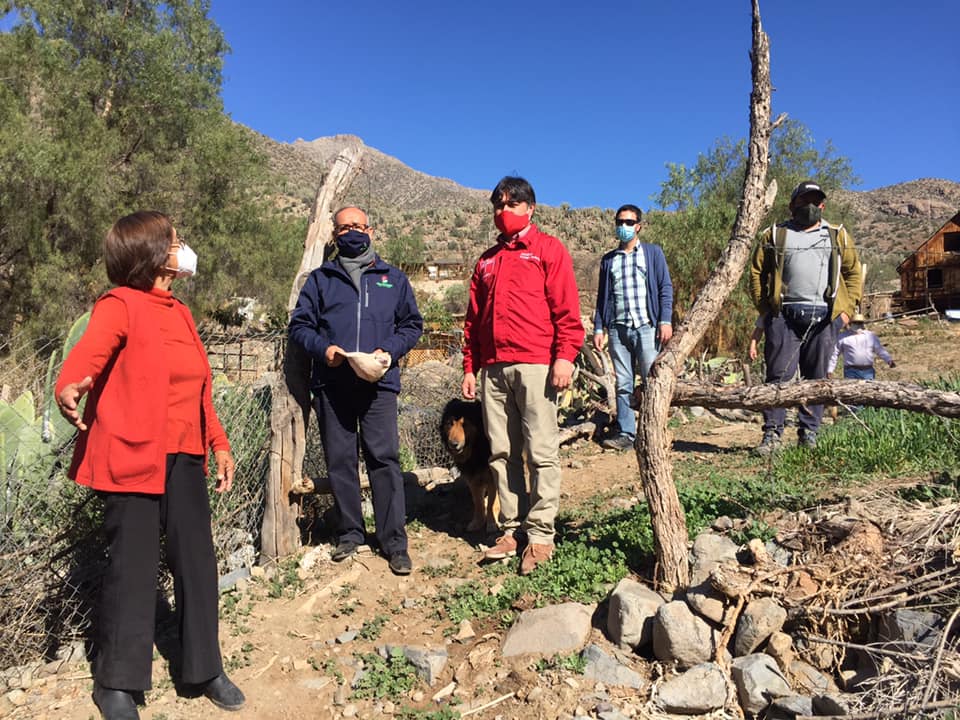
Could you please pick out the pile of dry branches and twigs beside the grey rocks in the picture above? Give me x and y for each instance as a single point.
(873, 597)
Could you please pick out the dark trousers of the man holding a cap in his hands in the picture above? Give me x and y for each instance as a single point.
(341, 411)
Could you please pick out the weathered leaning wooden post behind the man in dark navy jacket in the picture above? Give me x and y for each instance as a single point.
(290, 405)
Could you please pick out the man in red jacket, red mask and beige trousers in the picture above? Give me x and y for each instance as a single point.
(521, 335)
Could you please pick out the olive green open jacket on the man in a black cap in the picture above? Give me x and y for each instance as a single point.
(845, 285)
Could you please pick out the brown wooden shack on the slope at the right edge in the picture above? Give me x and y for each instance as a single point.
(931, 275)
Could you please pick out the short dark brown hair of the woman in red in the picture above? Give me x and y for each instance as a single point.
(136, 248)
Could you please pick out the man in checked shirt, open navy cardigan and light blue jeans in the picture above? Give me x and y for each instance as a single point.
(634, 306)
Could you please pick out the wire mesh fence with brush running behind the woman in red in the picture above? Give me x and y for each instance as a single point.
(52, 551)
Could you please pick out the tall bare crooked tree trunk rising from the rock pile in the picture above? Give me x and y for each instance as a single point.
(653, 442)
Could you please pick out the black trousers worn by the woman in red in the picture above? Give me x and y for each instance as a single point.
(133, 523)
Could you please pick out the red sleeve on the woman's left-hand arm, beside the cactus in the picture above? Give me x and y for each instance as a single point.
(105, 333)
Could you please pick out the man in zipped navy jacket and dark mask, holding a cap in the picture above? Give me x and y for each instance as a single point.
(354, 303)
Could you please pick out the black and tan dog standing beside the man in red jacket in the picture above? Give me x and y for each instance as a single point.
(461, 429)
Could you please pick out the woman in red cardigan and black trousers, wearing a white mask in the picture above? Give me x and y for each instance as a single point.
(145, 434)
